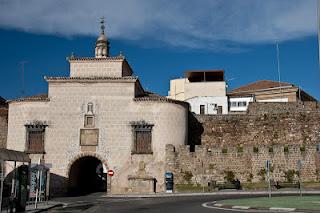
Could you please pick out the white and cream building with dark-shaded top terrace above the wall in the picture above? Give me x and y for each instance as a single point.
(205, 91)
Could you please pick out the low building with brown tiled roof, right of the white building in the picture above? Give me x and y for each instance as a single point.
(265, 91)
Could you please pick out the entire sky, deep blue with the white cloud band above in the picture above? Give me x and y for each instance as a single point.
(161, 39)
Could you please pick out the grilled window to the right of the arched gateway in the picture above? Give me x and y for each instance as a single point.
(142, 137)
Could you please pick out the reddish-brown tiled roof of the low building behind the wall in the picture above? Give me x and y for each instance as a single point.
(259, 85)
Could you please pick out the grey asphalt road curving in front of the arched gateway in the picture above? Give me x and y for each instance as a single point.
(98, 203)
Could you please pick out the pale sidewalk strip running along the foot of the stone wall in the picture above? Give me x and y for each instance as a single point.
(288, 192)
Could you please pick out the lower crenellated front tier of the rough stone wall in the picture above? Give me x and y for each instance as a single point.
(247, 163)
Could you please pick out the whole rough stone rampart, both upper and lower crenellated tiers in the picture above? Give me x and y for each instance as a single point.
(241, 143)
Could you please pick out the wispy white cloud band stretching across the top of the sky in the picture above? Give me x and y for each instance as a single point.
(185, 23)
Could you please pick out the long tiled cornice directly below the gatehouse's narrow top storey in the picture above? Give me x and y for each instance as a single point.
(127, 78)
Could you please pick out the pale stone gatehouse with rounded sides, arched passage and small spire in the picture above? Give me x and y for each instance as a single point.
(98, 118)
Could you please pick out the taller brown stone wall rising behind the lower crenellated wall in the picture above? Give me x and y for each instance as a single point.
(264, 124)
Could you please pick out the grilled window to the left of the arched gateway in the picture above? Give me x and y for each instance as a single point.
(35, 139)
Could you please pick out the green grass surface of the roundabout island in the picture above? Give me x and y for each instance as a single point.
(305, 202)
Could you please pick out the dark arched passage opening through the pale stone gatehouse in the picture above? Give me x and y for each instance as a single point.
(86, 176)
